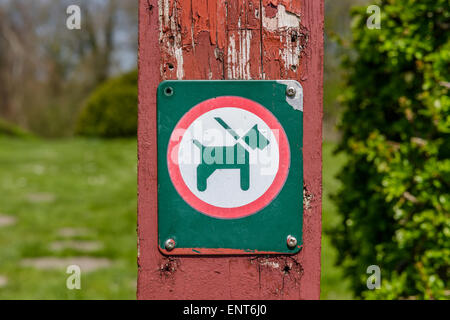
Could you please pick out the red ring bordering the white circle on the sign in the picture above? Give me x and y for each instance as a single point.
(252, 207)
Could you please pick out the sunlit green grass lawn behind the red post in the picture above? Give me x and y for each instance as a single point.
(75, 201)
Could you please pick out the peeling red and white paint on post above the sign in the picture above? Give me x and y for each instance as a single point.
(258, 39)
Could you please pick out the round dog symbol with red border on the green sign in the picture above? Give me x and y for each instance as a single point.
(228, 157)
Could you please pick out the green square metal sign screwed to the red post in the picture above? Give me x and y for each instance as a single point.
(230, 167)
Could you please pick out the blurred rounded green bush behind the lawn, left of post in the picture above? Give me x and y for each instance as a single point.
(111, 110)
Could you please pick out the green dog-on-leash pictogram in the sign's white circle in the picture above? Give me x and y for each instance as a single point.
(229, 157)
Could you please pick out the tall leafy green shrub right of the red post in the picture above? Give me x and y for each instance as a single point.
(395, 200)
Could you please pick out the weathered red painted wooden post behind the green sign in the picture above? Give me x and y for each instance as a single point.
(224, 39)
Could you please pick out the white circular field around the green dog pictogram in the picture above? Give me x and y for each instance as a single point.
(224, 187)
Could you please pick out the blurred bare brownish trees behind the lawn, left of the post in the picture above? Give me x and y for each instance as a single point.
(47, 70)
